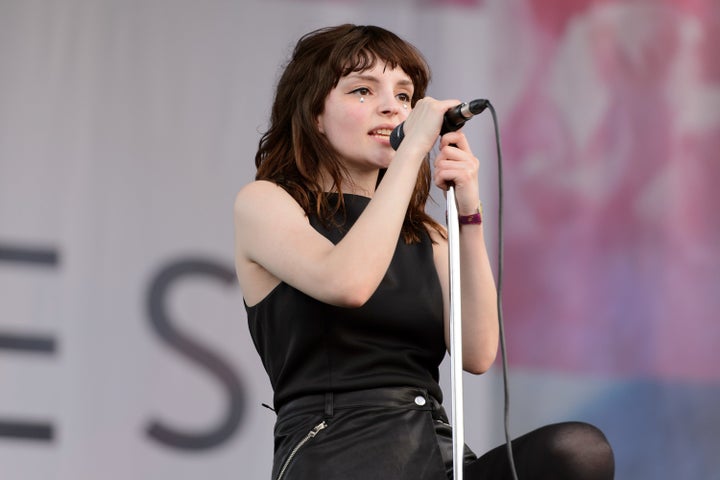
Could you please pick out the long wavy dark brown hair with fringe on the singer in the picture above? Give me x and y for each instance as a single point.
(294, 154)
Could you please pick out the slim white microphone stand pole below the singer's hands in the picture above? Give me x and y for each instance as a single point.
(455, 335)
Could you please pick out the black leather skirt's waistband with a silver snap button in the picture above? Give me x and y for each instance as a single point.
(387, 397)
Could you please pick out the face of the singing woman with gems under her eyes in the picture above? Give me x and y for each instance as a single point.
(361, 111)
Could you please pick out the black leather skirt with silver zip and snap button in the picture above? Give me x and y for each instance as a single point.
(398, 433)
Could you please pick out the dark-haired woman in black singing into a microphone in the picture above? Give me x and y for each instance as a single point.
(345, 277)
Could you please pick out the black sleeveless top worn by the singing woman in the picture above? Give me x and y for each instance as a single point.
(395, 339)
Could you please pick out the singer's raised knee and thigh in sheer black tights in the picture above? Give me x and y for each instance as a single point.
(562, 451)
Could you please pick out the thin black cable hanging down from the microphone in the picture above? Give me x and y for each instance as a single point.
(501, 254)
